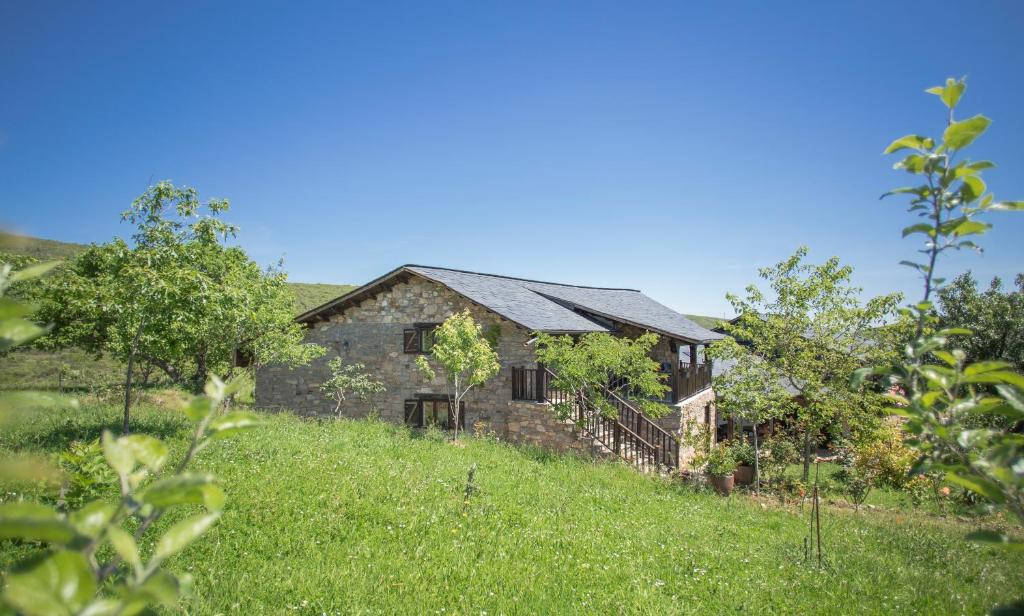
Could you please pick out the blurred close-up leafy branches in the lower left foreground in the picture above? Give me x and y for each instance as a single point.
(82, 574)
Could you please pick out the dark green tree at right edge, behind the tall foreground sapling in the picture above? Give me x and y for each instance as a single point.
(997, 318)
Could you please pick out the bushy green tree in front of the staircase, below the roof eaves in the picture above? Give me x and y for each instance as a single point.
(593, 363)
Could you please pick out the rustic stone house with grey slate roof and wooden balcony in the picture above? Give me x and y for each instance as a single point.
(387, 324)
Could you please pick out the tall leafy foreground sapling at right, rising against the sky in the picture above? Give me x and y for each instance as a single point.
(942, 391)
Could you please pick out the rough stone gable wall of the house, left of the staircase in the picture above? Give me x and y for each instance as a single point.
(371, 333)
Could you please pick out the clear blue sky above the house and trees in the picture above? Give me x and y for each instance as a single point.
(673, 148)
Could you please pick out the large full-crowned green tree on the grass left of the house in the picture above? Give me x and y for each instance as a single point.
(180, 299)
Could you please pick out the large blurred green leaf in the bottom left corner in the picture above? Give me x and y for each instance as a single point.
(61, 585)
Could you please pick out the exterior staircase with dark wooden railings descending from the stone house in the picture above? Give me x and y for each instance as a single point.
(629, 434)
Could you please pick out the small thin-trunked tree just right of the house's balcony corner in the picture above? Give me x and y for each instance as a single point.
(751, 390)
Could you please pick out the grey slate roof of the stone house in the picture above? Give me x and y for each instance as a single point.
(553, 307)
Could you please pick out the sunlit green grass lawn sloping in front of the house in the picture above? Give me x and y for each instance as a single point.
(365, 517)
